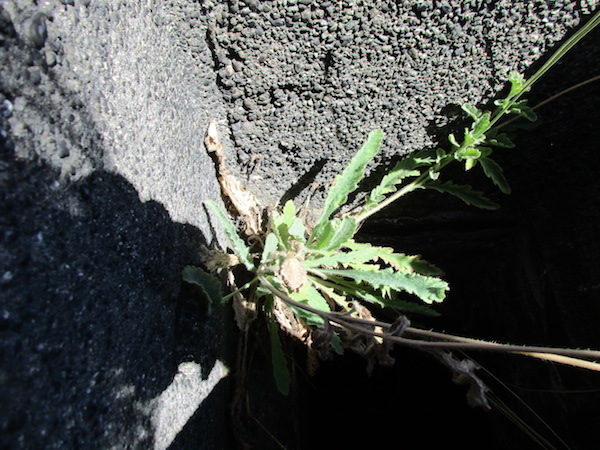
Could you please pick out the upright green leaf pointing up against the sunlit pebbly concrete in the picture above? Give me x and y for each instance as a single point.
(347, 182)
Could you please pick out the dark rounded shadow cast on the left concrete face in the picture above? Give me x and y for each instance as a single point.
(93, 321)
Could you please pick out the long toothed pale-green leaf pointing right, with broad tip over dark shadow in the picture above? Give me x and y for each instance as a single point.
(428, 289)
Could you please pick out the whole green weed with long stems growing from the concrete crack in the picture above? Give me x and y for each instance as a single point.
(316, 282)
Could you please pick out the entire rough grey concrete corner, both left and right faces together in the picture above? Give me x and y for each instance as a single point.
(103, 174)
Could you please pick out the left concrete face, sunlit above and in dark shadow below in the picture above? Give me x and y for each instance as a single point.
(103, 178)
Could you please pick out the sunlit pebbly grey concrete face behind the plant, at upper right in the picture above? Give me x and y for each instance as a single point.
(306, 81)
